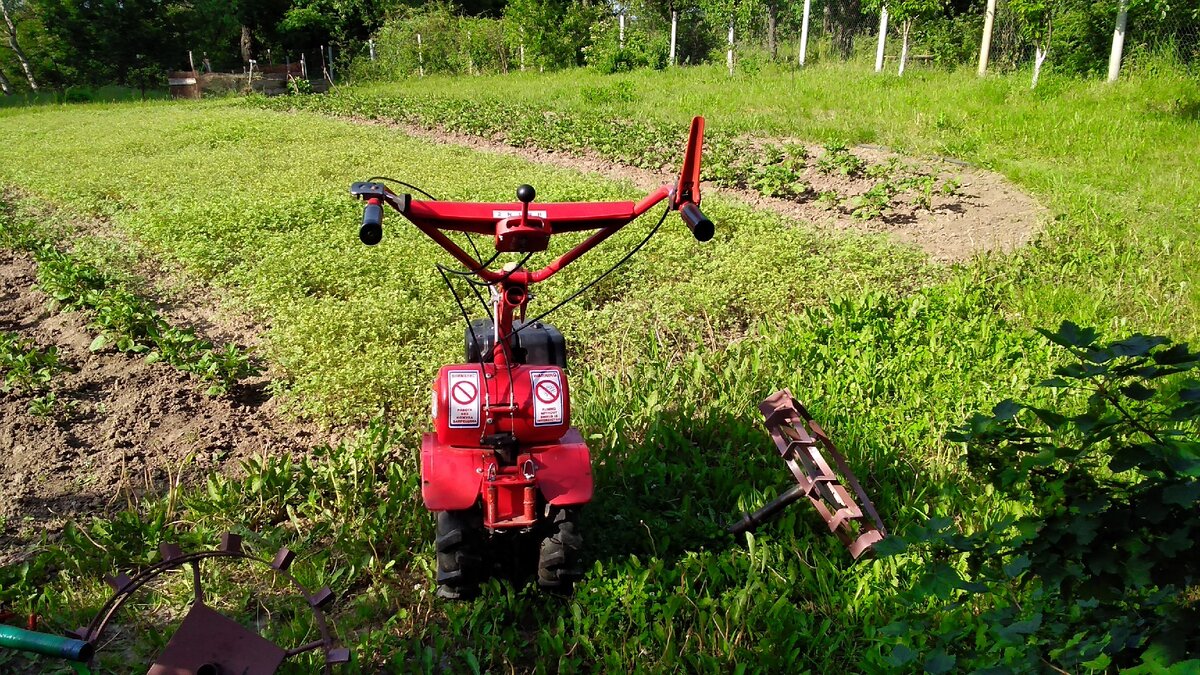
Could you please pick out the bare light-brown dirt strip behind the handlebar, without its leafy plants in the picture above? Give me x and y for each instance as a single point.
(987, 214)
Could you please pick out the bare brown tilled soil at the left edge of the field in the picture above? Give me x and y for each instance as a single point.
(130, 428)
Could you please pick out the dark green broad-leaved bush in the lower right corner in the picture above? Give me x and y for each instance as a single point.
(1097, 566)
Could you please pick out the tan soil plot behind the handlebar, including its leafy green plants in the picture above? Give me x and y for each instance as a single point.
(951, 211)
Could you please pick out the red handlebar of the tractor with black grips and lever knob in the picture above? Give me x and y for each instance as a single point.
(526, 228)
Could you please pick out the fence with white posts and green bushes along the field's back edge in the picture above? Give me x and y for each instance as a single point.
(1072, 38)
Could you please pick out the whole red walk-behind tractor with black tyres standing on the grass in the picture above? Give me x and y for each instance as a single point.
(503, 459)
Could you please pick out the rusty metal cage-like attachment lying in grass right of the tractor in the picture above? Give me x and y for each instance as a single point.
(801, 441)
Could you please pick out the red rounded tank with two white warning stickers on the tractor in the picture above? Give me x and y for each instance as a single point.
(476, 401)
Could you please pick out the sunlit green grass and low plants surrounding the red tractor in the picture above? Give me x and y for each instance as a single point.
(670, 357)
